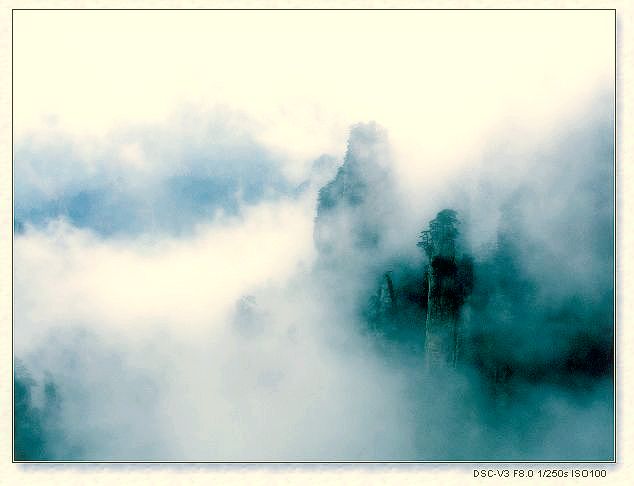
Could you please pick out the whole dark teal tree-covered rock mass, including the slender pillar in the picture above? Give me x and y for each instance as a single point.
(514, 334)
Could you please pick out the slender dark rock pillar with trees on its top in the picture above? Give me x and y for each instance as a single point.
(449, 276)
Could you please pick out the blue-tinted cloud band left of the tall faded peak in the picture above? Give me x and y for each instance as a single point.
(161, 178)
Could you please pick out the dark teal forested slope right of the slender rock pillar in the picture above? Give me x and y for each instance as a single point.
(515, 337)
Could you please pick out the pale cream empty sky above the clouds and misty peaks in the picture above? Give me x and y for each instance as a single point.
(302, 78)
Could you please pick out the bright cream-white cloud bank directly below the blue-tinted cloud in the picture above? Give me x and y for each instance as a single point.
(141, 283)
